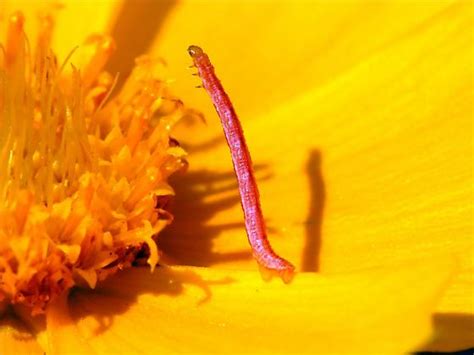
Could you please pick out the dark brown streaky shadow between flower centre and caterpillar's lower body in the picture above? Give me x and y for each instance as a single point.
(200, 195)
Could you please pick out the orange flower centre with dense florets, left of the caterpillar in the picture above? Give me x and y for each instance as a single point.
(83, 165)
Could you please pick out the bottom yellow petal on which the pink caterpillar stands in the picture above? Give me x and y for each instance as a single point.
(196, 310)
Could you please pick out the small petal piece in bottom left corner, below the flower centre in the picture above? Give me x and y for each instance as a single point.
(15, 338)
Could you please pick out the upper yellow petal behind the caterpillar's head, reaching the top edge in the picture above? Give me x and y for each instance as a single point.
(270, 52)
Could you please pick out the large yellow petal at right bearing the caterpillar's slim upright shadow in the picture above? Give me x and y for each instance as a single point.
(370, 169)
